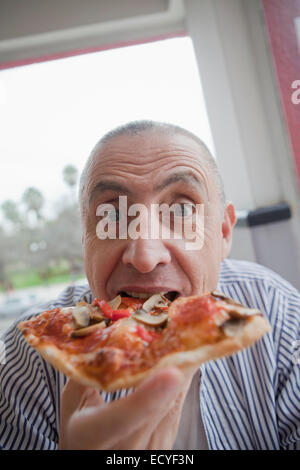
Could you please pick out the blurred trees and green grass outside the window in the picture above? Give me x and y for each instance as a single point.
(40, 250)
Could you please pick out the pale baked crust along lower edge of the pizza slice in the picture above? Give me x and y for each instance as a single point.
(248, 334)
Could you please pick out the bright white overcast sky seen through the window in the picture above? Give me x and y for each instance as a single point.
(52, 113)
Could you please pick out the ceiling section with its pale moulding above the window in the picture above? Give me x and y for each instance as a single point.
(33, 28)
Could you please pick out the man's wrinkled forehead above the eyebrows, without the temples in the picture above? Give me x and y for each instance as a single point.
(178, 156)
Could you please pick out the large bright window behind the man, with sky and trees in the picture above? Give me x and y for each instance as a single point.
(51, 115)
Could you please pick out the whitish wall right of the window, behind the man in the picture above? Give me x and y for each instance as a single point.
(248, 126)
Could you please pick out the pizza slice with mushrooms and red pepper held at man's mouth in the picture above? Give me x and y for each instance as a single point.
(116, 344)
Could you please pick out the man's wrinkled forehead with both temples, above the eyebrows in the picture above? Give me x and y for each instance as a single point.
(149, 154)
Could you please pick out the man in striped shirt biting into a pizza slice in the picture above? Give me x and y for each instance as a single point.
(247, 401)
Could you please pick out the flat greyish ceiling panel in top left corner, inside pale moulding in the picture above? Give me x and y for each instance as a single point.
(29, 17)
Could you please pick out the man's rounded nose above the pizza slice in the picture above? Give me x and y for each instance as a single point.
(146, 254)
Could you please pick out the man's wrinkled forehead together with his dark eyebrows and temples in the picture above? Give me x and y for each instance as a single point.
(124, 162)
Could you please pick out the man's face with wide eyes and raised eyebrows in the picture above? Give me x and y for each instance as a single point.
(143, 168)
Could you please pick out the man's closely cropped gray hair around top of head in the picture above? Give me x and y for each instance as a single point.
(138, 127)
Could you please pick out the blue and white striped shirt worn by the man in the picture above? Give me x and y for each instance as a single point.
(250, 400)
